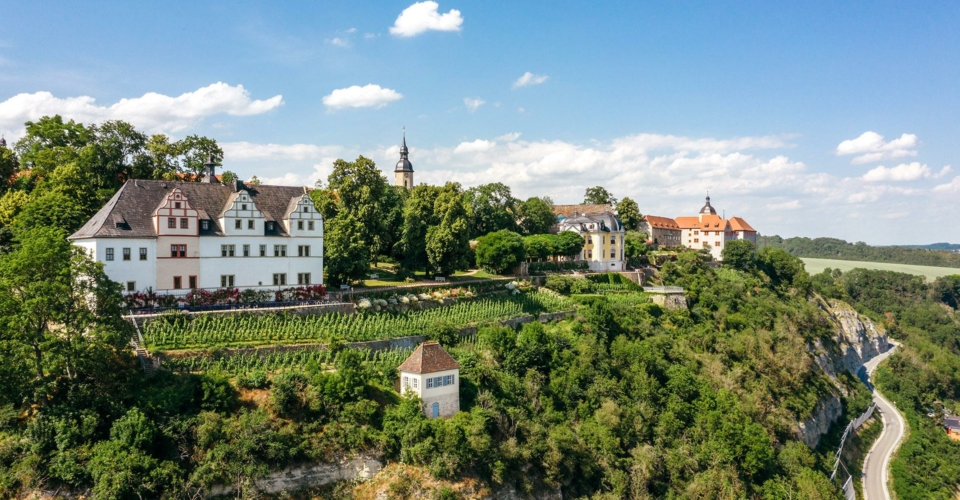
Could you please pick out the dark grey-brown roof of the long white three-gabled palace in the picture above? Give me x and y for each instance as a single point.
(136, 201)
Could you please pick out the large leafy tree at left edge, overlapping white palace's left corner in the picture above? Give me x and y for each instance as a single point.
(59, 308)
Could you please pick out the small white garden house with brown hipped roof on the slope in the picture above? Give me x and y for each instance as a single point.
(431, 373)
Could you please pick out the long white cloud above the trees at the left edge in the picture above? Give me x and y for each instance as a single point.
(152, 112)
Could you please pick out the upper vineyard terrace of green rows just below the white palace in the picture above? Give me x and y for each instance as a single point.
(177, 333)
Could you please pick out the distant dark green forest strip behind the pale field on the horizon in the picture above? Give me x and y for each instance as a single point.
(832, 248)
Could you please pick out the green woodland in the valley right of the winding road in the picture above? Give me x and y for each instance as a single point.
(923, 378)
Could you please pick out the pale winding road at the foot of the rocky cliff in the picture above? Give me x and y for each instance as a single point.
(877, 464)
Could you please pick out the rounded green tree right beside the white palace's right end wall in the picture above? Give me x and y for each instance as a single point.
(347, 252)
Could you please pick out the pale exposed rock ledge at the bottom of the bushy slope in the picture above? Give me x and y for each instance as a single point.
(310, 476)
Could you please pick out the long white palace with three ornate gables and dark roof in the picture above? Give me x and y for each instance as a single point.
(168, 236)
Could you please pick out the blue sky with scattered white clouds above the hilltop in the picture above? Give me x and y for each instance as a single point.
(805, 118)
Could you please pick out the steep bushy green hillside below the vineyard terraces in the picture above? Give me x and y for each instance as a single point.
(626, 399)
